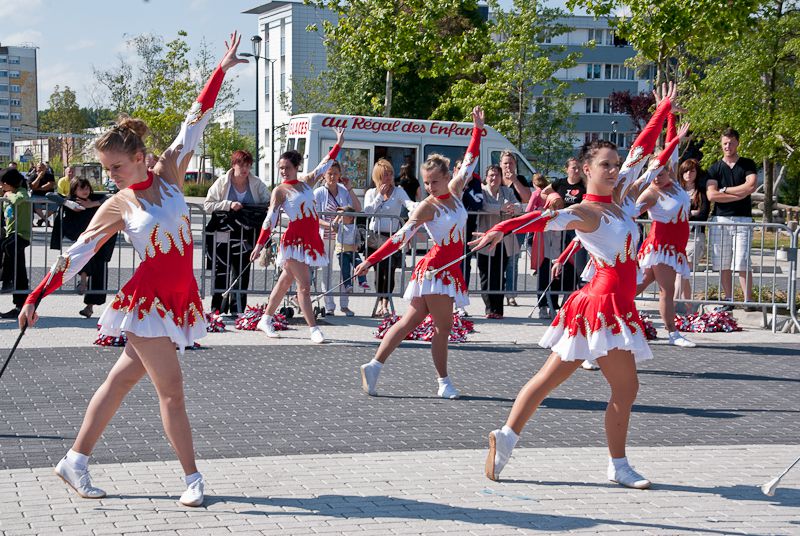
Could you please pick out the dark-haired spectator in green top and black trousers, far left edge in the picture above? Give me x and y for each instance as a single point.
(17, 237)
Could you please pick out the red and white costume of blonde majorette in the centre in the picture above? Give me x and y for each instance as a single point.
(447, 230)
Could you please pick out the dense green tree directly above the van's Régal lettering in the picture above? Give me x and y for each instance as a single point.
(380, 49)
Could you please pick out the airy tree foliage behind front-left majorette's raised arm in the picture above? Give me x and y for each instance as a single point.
(161, 83)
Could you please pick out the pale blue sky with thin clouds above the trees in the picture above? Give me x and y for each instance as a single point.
(75, 36)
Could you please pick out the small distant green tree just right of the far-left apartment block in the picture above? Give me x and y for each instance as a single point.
(63, 116)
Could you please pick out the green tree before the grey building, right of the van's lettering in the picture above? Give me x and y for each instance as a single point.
(515, 83)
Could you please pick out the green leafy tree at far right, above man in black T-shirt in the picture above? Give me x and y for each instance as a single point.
(752, 86)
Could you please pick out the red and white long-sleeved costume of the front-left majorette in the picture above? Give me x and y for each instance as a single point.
(161, 299)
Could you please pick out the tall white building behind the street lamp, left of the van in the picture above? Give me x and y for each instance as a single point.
(289, 54)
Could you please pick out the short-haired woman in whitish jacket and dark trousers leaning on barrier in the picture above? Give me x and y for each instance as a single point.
(230, 193)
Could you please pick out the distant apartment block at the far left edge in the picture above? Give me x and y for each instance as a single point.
(18, 97)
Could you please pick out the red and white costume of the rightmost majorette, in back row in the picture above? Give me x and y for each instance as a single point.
(669, 233)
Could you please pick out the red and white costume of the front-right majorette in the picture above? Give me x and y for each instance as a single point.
(602, 315)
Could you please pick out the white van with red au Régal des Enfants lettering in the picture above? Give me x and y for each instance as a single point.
(398, 140)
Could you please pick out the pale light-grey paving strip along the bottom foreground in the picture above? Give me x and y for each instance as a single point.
(697, 490)
